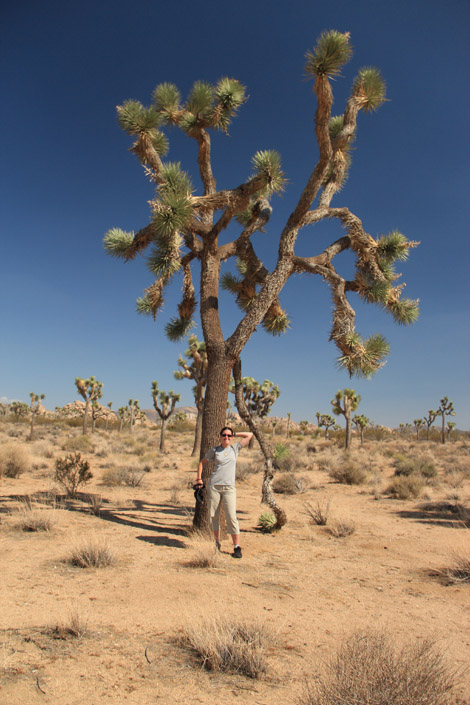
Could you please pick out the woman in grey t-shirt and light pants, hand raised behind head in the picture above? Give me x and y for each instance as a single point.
(222, 484)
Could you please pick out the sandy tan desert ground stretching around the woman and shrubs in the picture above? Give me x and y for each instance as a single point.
(116, 634)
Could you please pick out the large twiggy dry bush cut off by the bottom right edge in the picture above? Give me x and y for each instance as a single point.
(369, 670)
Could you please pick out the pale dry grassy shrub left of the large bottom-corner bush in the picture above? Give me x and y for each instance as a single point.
(234, 646)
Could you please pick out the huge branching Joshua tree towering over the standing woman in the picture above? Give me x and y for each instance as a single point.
(185, 228)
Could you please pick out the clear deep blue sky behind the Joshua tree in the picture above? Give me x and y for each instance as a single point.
(67, 176)
